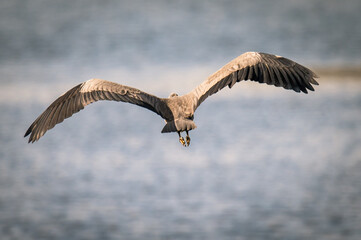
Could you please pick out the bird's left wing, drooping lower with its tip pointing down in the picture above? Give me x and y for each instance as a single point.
(86, 93)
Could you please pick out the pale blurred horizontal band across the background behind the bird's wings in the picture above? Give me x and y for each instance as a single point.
(37, 84)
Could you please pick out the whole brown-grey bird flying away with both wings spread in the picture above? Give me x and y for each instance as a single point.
(178, 111)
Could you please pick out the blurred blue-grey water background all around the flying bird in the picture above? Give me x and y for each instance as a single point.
(264, 163)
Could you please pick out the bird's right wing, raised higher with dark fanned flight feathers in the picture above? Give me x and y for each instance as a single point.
(259, 67)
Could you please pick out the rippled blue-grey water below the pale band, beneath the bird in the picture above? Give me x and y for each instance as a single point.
(262, 165)
